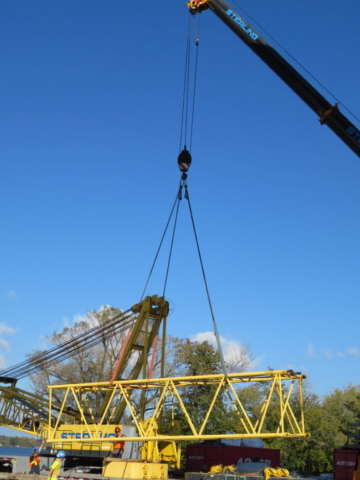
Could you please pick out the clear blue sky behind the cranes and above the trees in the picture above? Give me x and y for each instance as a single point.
(90, 116)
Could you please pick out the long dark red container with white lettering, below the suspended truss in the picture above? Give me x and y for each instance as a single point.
(200, 458)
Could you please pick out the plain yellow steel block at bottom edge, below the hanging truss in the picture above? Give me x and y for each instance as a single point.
(119, 468)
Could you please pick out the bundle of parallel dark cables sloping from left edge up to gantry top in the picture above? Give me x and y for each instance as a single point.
(61, 351)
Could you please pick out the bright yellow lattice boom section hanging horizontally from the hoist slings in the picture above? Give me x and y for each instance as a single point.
(289, 424)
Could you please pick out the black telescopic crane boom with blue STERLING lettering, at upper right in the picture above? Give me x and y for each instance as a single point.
(329, 114)
